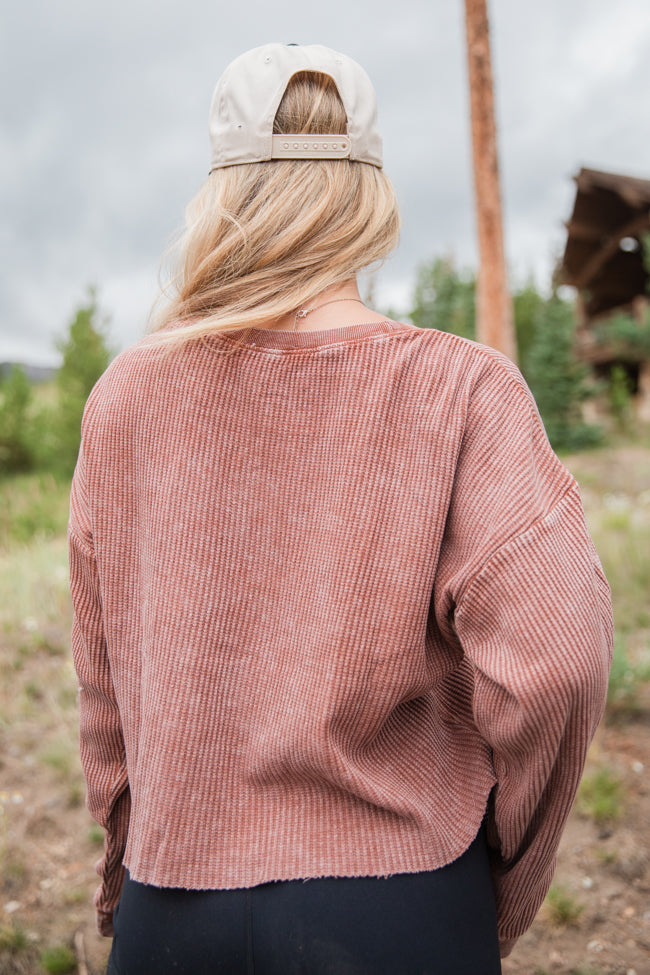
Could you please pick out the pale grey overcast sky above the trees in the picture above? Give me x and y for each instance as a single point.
(104, 133)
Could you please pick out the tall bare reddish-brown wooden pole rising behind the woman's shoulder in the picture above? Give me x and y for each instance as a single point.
(494, 315)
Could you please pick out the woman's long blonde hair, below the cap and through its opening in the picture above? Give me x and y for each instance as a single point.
(261, 239)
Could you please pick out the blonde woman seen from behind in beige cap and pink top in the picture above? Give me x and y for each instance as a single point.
(341, 634)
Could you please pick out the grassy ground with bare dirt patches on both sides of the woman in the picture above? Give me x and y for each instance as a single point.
(48, 843)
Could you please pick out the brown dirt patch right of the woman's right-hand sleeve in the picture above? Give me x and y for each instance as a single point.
(605, 869)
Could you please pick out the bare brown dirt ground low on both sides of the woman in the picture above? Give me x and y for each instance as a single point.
(604, 869)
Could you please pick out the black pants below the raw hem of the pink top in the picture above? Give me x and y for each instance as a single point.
(438, 923)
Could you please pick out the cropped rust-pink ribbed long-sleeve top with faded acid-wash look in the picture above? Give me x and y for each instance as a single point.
(334, 598)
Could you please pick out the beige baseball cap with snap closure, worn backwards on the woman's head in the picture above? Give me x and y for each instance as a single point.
(250, 90)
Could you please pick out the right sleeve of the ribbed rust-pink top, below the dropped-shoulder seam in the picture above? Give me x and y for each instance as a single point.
(534, 623)
